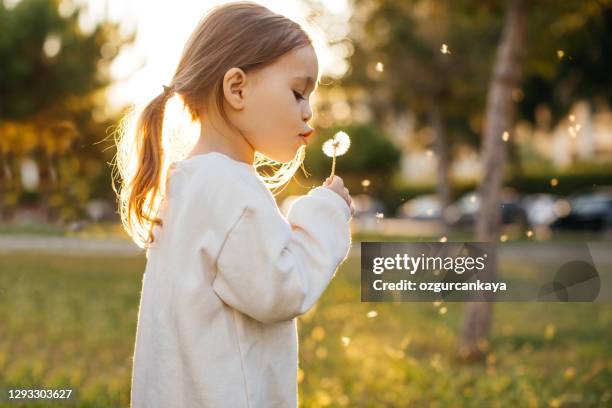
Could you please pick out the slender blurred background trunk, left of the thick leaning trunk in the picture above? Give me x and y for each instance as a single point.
(442, 159)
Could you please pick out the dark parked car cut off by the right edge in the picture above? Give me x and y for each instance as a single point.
(591, 210)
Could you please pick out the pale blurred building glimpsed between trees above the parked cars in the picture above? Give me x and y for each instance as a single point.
(582, 136)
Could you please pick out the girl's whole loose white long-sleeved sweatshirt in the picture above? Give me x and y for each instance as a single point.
(224, 280)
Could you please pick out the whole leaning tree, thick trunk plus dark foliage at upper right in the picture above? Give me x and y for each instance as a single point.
(581, 73)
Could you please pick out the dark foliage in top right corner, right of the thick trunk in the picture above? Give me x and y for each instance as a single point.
(571, 60)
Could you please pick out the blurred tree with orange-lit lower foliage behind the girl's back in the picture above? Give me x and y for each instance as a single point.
(52, 85)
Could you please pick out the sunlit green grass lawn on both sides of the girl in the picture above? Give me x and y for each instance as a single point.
(69, 322)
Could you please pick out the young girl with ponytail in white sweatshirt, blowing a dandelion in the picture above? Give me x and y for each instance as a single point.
(226, 273)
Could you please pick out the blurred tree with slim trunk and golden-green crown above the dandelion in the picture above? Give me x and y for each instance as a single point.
(426, 59)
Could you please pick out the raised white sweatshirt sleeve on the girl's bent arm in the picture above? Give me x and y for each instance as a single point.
(274, 269)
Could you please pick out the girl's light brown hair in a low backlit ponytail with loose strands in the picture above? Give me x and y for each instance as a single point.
(241, 34)
